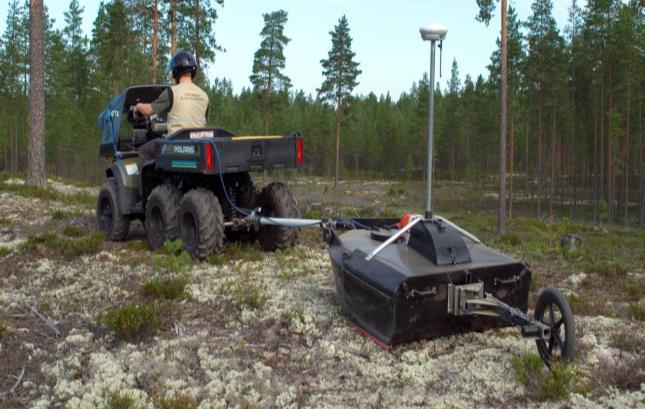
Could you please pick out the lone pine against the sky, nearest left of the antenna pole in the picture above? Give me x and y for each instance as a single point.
(340, 72)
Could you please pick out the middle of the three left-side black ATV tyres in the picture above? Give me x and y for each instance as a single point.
(161, 215)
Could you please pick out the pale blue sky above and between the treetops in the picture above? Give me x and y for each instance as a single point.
(385, 35)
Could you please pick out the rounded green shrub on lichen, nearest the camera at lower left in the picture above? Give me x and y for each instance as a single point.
(133, 322)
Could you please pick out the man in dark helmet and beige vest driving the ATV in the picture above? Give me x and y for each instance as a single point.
(184, 103)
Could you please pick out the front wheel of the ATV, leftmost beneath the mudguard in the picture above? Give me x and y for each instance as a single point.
(109, 218)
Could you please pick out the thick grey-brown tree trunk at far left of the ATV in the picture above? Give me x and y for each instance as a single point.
(36, 148)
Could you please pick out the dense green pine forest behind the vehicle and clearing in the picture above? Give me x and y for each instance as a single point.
(574, 138)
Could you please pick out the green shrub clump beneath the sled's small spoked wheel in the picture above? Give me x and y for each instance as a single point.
(543, 384)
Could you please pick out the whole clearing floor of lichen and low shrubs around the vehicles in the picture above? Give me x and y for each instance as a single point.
(86, 323)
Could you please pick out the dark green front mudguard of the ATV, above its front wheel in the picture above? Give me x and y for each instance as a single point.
(126, 173)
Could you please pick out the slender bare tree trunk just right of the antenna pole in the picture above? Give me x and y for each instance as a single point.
(501, 219)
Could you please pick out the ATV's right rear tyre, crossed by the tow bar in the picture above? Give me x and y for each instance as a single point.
(277, 200)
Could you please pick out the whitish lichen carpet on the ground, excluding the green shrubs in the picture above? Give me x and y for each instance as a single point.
(297, 350)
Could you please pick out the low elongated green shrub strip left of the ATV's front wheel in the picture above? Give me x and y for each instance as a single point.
(67, 247)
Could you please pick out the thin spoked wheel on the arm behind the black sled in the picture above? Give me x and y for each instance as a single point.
(553, 309)
